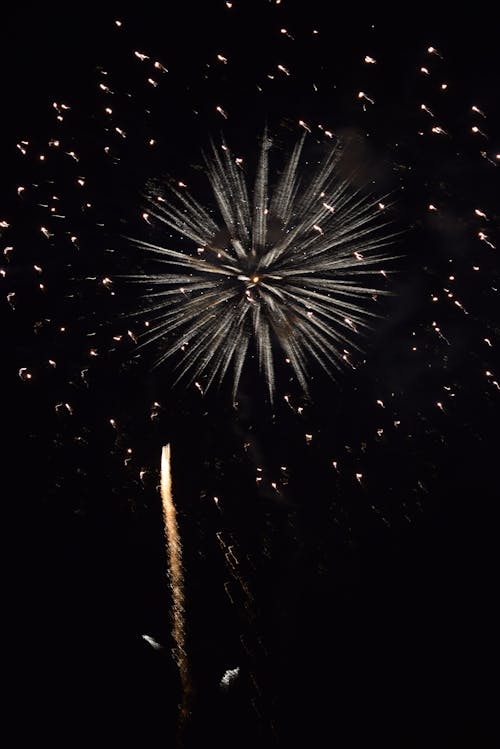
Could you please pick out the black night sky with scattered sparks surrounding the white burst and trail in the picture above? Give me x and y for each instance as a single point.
(337, 550)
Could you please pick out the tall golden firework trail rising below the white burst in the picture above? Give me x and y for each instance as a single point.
(176, 578)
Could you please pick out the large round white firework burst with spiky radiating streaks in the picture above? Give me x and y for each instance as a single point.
(287, 270)
